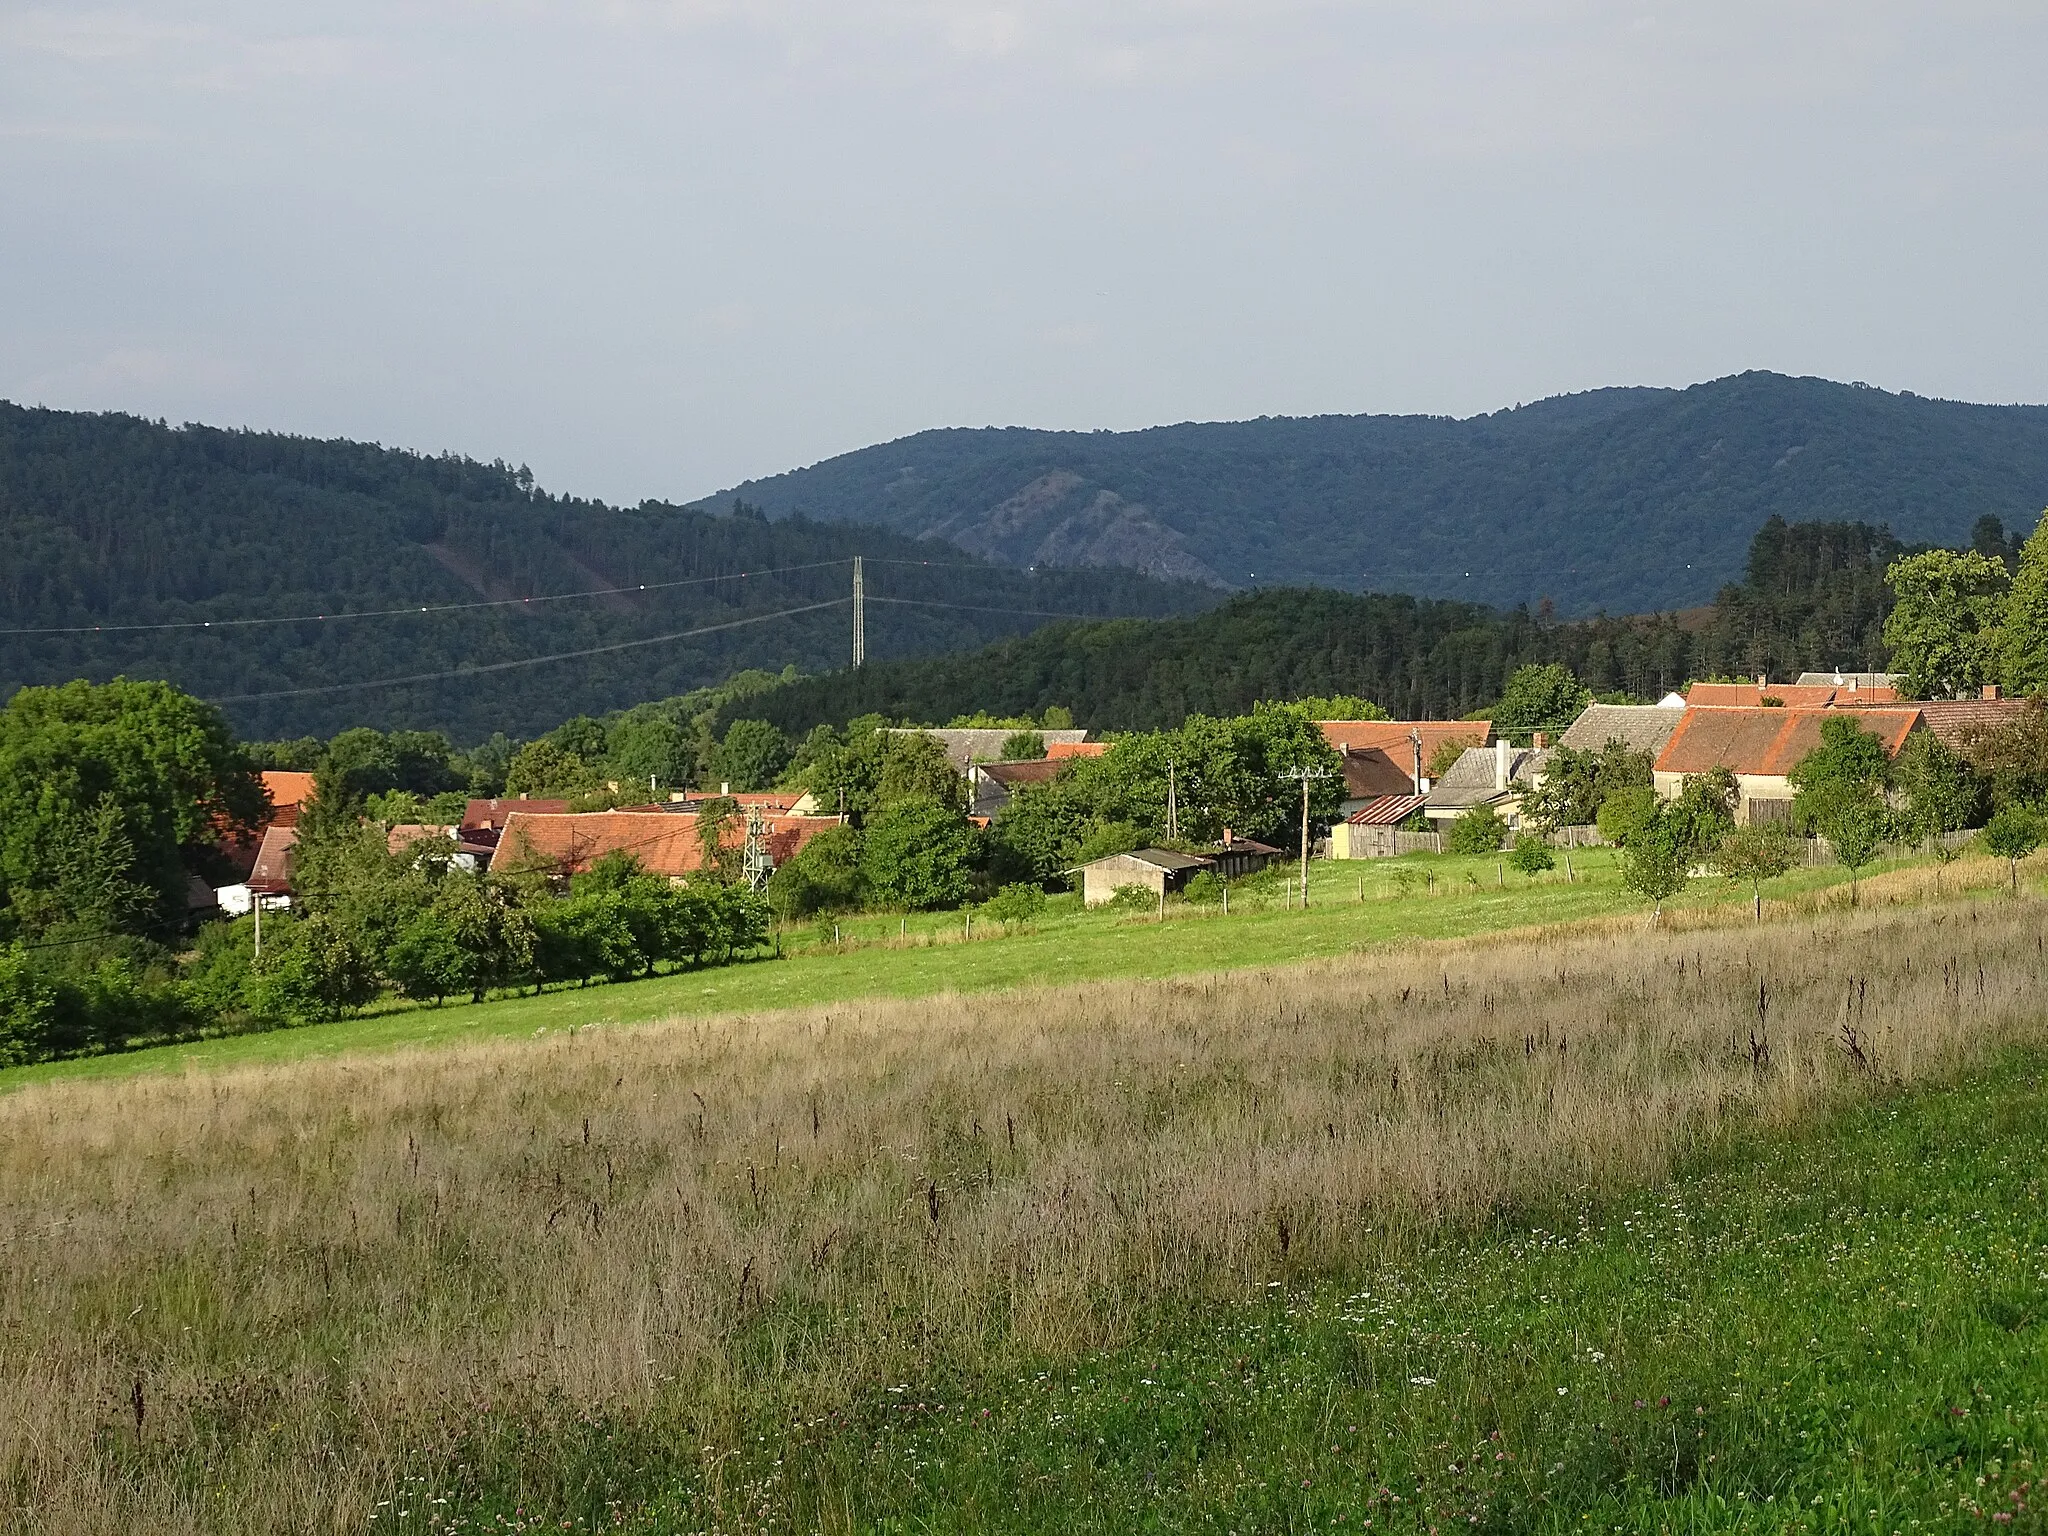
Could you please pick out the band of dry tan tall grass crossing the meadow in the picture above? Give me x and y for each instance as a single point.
(259, 1299)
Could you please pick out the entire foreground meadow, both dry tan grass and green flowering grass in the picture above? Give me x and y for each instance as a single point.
(1699, 1230)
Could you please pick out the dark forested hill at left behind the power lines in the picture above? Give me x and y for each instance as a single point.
(116, 521)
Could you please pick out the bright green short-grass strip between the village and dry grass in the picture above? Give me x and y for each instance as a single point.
(1353, 908)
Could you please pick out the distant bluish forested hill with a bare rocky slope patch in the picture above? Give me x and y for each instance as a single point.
(1621, 501)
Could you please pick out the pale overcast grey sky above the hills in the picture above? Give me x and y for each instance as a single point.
(656, 247)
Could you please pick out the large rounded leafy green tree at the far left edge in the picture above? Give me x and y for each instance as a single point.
(110, 800)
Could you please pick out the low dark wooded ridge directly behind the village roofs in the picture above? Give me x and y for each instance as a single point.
(1811, 597)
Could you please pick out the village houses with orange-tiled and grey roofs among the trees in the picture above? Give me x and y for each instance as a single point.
(1408, 787)
